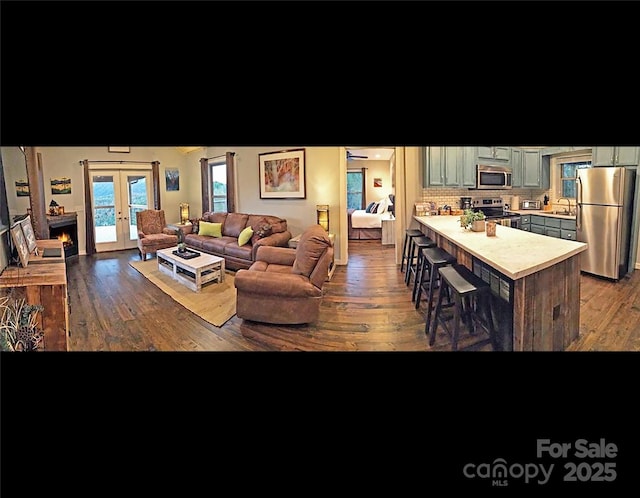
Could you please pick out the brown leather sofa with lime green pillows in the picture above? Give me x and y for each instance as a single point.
(238, 257)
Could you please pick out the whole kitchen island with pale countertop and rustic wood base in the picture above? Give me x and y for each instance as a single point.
(535, 280)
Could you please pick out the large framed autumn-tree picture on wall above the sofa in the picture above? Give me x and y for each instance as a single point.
(282, 174)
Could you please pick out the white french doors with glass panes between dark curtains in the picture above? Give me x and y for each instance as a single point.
(116, 197)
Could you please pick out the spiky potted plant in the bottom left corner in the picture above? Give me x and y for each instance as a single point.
(19, 329)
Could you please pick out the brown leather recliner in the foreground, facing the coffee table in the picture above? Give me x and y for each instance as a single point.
(283, 285)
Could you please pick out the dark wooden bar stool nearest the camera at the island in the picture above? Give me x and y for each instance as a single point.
(471, 298)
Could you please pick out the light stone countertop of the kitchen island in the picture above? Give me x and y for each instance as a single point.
(514, 252)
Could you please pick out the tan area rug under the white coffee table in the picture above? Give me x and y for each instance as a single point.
(215, 303)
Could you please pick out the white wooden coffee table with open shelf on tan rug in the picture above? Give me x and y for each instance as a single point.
(194, 272)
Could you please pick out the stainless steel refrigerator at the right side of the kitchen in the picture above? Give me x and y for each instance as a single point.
(603, 219)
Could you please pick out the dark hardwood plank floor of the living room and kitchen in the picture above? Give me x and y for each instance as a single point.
(366, 307)
